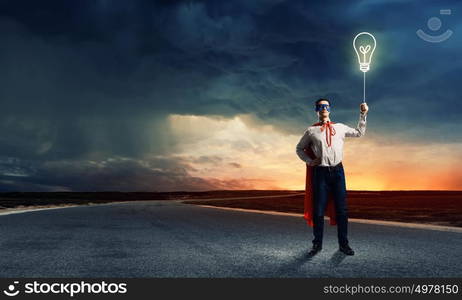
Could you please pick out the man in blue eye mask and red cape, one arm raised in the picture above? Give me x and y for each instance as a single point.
(321, 148)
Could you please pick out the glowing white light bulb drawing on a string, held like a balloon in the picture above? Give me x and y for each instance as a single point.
(364, 44)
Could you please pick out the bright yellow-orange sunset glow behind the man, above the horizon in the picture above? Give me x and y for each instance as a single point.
(249, 155)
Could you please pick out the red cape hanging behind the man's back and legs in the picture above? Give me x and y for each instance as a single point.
(308, 205)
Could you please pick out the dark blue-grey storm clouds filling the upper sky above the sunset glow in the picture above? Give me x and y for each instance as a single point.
(90, 80)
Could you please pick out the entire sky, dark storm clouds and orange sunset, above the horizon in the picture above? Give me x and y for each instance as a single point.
(100, 95)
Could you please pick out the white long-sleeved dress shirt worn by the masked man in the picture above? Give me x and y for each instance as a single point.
(316, 139)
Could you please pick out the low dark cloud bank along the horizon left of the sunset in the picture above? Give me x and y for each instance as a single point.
(114, 174)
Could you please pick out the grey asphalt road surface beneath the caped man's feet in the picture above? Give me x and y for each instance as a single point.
(172, 239)
